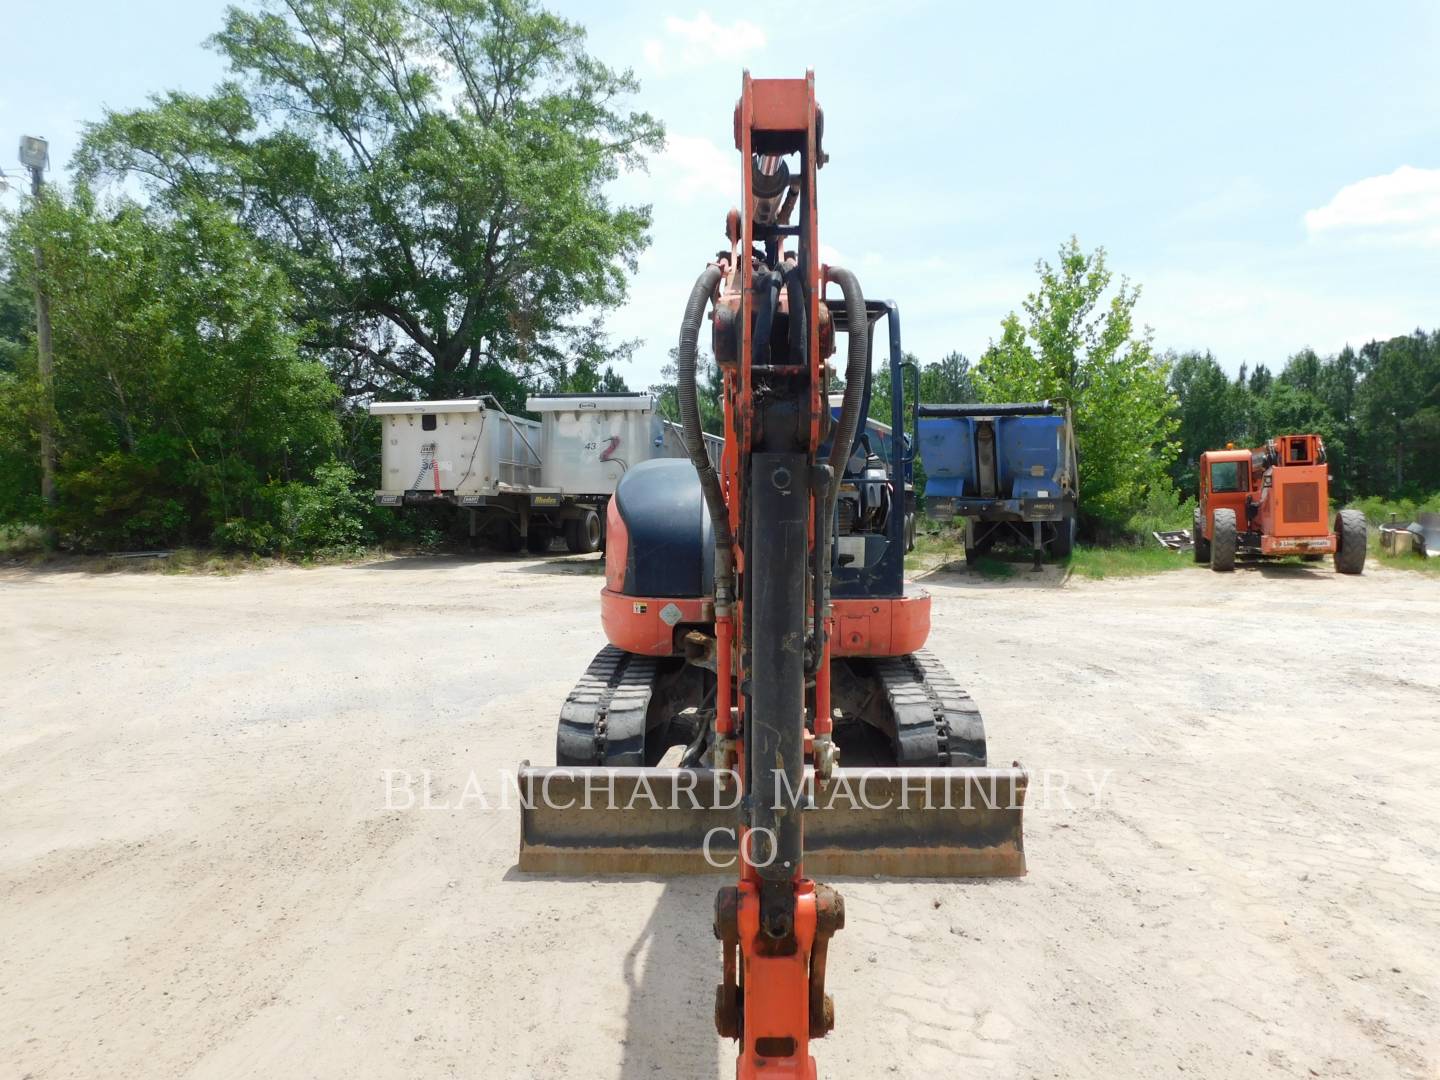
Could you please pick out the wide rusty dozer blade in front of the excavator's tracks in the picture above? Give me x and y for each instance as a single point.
(888, 822)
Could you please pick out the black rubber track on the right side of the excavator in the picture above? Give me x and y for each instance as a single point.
(937, 722)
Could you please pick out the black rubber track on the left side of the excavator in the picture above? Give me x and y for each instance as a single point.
(603, 721)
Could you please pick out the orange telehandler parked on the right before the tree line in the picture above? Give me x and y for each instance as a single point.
(1274, 502)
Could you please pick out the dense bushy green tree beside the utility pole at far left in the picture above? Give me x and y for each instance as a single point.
(184, 411)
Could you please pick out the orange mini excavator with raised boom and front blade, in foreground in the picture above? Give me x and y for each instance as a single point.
(758, 636)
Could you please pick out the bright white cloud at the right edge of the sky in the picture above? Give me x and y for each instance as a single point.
(1400, 207)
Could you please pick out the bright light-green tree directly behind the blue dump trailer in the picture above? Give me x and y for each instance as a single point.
(1078, 348)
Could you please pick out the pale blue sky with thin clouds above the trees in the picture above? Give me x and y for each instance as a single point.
(1269, 174)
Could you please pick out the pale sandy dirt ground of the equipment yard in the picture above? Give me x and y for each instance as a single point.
(1233, 843)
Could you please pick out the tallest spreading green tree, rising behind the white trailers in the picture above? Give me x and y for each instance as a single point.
(428, 174)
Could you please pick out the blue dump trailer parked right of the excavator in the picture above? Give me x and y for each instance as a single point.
(1010, 472)
